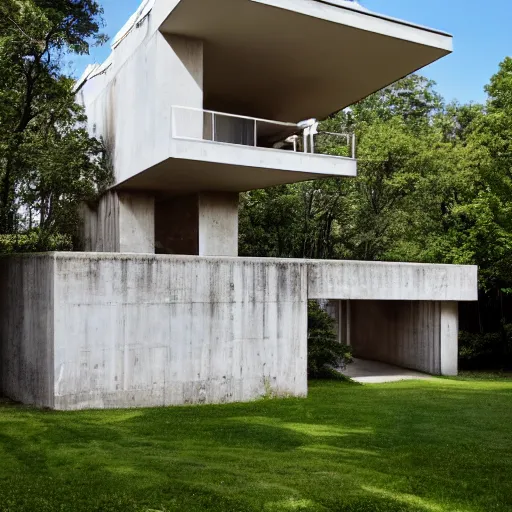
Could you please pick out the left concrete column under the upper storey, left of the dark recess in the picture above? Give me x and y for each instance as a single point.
(120, 222)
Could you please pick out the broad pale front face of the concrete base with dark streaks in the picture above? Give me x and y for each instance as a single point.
(149, 331)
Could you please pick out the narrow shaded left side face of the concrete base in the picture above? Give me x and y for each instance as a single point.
(26, 329)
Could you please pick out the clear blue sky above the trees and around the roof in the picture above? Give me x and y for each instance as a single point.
(482, 31)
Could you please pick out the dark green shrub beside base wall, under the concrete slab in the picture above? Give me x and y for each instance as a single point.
(326, 356)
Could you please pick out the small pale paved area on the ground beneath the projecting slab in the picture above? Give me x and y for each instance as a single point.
(372, 372)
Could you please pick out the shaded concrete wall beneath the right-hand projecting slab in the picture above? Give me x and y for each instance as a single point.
(417, 335)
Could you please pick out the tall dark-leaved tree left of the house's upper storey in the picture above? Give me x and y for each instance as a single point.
(48, 163)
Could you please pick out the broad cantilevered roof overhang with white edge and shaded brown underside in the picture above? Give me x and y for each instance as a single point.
(296, 59)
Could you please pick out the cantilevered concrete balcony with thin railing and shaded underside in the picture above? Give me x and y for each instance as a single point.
(227, 152)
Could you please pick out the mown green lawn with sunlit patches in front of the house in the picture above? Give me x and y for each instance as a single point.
(429, 446)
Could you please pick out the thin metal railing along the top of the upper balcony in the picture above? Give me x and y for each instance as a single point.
(196, 124)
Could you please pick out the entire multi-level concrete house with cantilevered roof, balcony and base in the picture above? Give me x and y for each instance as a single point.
(199, 101)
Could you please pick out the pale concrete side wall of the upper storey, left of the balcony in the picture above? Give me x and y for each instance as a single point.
(130, 104)
